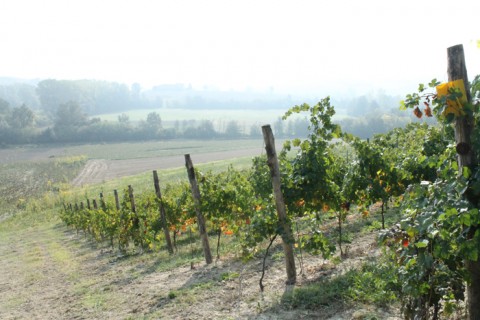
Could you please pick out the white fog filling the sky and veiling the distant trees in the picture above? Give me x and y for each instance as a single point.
(140, 58)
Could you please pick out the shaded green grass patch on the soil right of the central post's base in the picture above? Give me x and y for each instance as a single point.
(372, 283)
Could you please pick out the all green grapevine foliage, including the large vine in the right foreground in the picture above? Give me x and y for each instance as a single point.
(435, 247)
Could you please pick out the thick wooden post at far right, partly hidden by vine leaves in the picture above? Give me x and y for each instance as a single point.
(466, 158)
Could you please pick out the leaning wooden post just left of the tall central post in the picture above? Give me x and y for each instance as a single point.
(196, 200)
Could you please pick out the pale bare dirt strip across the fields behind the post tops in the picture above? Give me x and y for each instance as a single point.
(97, 171)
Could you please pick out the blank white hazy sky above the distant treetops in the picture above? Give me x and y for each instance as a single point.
(230, 44)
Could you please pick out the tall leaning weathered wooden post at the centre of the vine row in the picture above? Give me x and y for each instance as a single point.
(287, 236)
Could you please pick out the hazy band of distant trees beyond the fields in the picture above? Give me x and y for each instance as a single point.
(64, 111)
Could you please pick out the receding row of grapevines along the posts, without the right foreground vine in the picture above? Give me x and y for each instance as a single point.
(323, 177)
